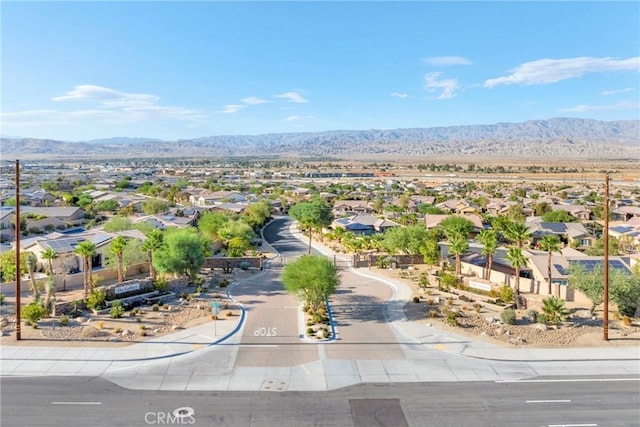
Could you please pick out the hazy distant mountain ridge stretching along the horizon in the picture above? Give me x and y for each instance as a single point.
(558, 138)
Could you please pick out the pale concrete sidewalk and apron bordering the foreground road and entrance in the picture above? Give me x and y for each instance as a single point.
(170, 361)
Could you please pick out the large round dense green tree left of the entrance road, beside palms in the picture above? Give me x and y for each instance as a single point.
(183, 254)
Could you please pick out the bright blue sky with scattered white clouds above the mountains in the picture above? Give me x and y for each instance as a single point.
(82, 70)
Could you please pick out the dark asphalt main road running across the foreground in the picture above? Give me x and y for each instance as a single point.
(69, 402)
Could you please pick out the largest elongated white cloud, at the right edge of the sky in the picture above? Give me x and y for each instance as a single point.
(545, 71)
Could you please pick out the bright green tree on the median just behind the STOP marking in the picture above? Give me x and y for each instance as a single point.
(313, 278)
